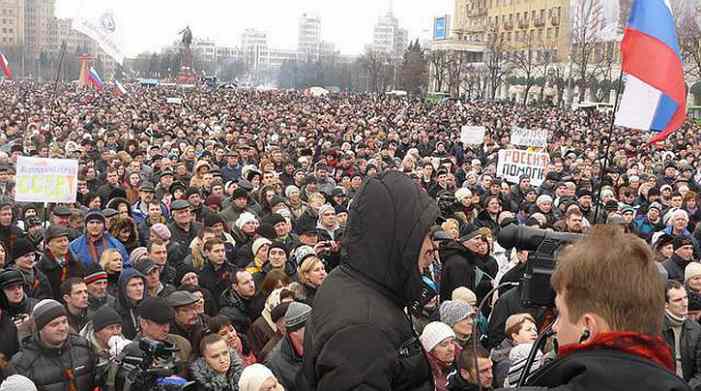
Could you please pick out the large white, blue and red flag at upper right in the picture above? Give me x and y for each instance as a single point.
(655, 94)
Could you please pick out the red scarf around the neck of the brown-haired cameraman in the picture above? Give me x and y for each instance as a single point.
(652, 348)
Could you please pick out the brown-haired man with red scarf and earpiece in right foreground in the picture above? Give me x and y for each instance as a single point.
(611, 304)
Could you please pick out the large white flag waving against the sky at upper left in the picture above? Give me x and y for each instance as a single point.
(104, 27)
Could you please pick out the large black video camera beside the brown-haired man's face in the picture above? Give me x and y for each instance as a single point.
(543, 247)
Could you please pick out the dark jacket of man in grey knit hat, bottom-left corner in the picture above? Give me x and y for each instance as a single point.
(46, 366)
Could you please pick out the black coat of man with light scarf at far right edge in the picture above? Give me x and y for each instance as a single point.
(690, 343)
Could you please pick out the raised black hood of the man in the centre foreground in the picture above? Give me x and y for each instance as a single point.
(389, 218)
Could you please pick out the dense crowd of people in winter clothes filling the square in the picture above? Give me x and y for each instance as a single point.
(209, 225)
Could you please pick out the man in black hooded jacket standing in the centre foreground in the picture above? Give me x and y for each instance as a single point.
(359, 336)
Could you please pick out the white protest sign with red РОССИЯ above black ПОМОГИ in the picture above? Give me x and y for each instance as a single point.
(514, 162)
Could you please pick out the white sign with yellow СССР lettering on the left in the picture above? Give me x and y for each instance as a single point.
(46, 180)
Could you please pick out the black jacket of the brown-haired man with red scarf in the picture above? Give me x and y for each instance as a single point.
(605, 370)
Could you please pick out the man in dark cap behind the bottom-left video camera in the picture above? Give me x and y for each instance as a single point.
(155, 316)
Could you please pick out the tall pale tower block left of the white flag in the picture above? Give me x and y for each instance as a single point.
(38, 15)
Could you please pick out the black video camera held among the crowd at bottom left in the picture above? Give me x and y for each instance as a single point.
(158, 363)
